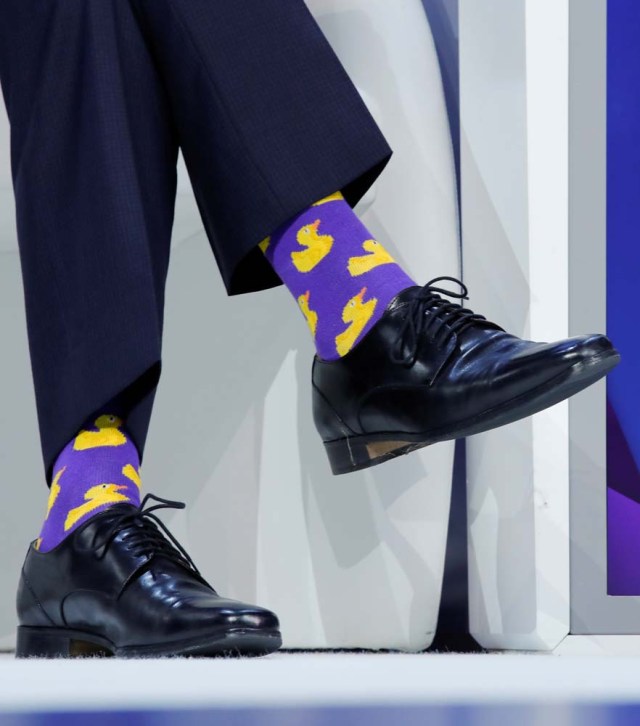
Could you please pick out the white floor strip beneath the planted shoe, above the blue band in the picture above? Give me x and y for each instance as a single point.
(286, 679)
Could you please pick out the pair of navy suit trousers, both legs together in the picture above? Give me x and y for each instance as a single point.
(100, 95)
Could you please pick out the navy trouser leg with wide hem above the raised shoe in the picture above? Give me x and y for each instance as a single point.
(268, 120)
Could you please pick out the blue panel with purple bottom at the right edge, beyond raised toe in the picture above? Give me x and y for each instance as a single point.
(623, 271)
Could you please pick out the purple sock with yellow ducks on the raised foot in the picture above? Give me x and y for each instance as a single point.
(340, 276)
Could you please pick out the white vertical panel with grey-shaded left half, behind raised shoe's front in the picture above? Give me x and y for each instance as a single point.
(514, 159)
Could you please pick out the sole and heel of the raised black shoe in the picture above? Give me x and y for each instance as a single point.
(360, 452)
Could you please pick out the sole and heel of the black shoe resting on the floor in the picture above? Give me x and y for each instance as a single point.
(65, 643)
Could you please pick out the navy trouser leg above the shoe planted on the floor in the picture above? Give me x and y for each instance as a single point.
(93, 154)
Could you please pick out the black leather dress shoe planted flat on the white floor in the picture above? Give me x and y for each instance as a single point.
(118, 586)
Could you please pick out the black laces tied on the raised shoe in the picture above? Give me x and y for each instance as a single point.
(432, 316)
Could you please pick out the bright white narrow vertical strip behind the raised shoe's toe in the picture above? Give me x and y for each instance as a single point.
(547, 38)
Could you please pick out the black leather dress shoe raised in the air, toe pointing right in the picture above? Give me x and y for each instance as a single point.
(431, 370)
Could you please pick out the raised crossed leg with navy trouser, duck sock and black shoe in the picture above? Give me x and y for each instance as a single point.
(272, 128)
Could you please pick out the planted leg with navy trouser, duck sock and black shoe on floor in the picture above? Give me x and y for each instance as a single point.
(94, 169)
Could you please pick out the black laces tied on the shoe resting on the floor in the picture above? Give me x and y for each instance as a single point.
(146, 535)
